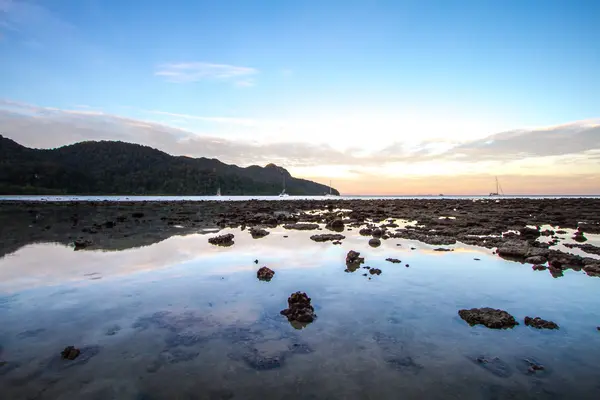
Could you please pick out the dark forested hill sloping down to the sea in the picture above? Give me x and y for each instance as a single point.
(108, 167)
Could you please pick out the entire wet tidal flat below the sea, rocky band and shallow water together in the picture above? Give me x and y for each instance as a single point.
(158, 312)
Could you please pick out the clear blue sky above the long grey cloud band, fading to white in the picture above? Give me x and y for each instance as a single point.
(292, 70)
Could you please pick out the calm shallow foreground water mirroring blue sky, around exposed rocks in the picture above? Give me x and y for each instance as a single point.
(182, 319)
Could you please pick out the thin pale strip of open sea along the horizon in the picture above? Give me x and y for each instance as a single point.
(246, 198)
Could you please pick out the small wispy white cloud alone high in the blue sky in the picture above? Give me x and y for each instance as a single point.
(198, 71)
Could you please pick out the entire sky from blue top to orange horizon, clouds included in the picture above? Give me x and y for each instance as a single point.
(380, 97)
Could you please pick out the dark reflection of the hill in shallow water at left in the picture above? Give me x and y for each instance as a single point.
(110, 228)
